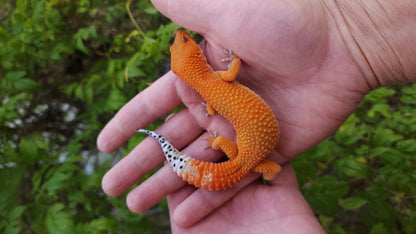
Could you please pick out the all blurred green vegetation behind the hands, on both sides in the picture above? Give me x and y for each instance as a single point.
(66, 67)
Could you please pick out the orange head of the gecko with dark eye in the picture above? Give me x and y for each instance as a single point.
(182, 49)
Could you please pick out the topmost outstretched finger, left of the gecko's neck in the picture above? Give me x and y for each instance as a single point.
(146, 107)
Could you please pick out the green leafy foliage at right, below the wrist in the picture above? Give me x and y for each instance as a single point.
(363, 179)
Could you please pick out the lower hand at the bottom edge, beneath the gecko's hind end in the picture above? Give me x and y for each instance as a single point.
(277, 208)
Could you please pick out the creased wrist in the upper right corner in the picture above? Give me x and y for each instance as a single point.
(380, 36)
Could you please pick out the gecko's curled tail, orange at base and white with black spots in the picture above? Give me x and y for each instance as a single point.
(207, 175)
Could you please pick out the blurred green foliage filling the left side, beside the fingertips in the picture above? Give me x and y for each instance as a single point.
(66, 67)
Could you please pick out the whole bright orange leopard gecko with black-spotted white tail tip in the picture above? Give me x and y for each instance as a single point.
(256, 127)
